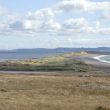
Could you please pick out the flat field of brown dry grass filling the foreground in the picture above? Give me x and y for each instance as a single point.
(30, 92)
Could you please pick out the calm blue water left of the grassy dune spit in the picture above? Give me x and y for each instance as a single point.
(23, 55)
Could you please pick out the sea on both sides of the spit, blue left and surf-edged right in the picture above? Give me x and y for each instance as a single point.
(4, 56)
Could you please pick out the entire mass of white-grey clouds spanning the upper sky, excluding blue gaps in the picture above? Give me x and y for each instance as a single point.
(46, 20)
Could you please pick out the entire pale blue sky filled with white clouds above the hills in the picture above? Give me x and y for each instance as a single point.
(54, 23)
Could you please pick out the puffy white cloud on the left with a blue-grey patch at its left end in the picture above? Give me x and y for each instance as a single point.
(41, 23)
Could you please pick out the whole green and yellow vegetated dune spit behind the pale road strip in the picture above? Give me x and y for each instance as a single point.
(55, 63)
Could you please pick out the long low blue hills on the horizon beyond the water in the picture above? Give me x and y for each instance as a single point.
(62, 50)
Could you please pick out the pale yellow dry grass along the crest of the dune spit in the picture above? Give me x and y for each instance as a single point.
(47, 60)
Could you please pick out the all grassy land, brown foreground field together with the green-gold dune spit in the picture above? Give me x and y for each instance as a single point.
(53, 92)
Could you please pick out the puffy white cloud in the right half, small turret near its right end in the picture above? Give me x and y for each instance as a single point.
(81, 25)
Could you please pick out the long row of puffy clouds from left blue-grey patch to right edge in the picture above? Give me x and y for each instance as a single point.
(68, 27)
